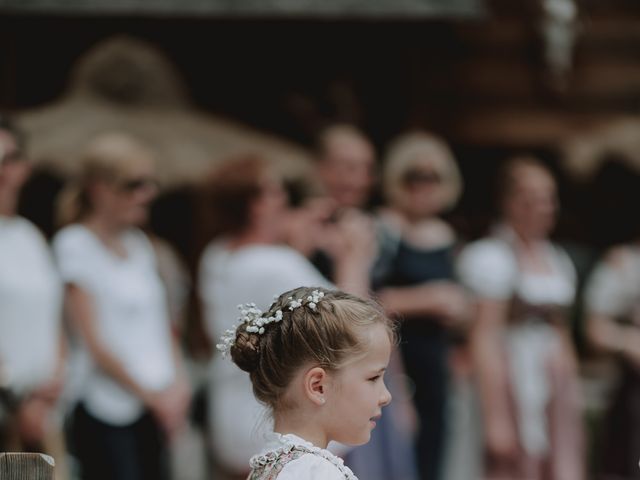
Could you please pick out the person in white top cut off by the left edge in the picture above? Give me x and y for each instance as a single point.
(31, 350)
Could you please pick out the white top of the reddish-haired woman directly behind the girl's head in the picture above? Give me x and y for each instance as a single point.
(228, 278)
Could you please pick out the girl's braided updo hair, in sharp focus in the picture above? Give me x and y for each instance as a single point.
(326, 336)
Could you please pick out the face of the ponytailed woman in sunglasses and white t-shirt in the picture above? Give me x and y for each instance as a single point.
(126, 201)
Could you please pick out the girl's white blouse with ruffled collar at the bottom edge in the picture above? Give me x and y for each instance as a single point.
(318, 464)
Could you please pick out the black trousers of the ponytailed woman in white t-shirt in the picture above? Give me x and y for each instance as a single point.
(106, 452)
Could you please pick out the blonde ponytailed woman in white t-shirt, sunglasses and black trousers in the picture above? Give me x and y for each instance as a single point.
(134, 394)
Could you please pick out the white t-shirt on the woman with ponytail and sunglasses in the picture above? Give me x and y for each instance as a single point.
(131, 318)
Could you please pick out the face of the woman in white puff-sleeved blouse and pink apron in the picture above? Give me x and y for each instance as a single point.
(531, 204)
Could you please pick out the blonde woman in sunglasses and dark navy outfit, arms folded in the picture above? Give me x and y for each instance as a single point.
(416, 273)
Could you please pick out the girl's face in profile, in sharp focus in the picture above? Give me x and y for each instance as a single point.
(358, 392)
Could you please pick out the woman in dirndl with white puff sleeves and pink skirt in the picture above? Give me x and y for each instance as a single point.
(524, 360)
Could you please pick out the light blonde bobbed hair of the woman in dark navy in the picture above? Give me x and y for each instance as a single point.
(420, 148)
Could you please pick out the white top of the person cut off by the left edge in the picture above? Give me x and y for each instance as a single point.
(30, 305)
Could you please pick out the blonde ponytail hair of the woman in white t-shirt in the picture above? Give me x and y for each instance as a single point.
(109, 157)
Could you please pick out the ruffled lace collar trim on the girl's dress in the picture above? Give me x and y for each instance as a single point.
(267, 466)
